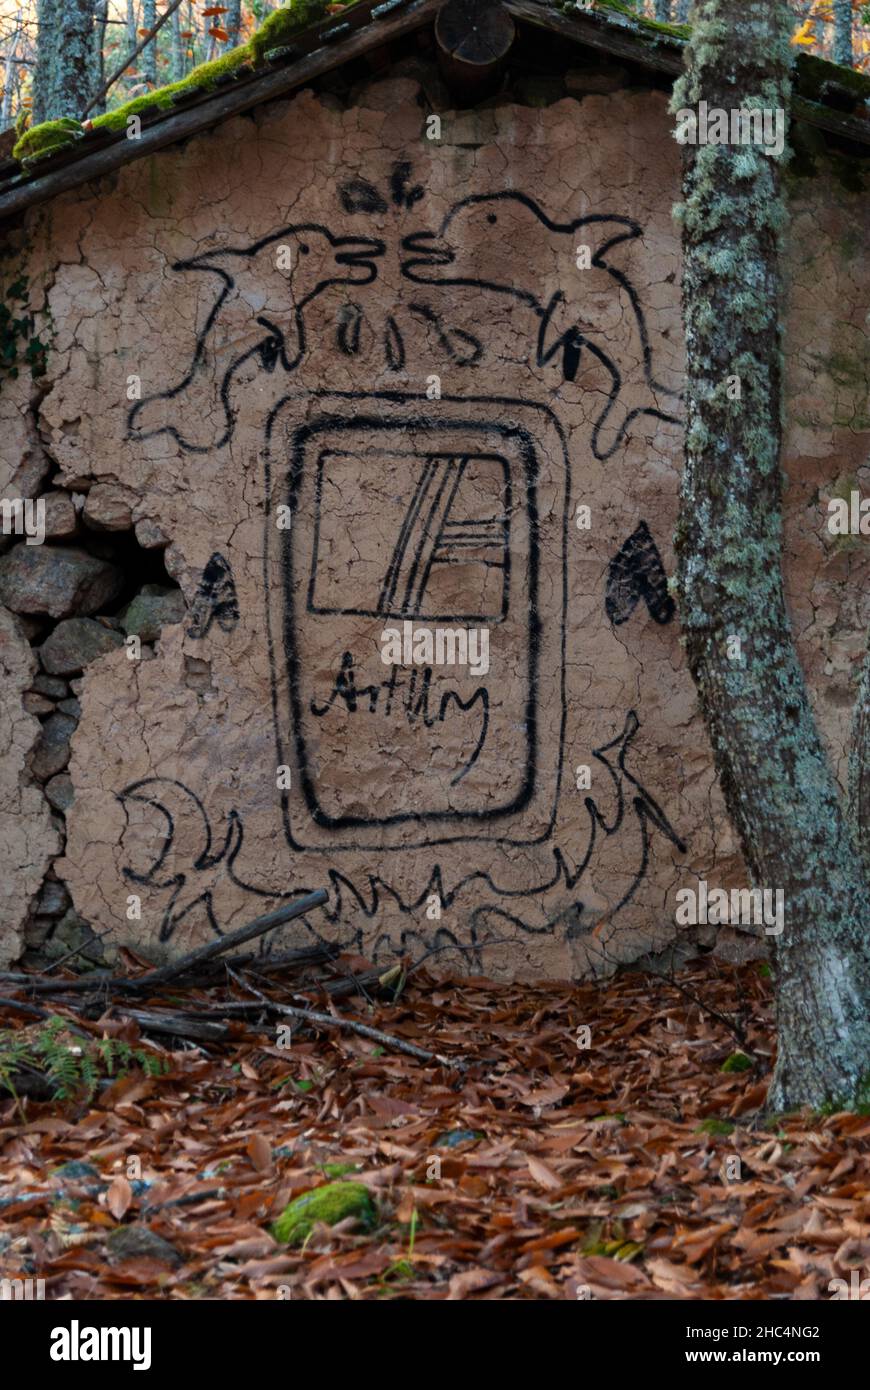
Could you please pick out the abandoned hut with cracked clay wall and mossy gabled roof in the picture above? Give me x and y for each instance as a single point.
(351, 380)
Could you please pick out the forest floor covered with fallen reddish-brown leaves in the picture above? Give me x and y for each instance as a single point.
(634, 1168)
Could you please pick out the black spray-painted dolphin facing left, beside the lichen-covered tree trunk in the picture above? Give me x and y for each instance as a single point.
(564, 334)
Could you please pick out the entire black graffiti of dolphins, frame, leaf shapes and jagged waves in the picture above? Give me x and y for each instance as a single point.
(434, 530)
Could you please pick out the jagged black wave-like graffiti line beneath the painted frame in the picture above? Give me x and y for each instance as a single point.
(354, 904)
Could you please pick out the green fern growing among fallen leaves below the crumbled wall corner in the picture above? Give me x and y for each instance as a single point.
(72, 1068)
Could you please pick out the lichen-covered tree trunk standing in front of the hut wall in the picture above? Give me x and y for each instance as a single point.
(779, 786)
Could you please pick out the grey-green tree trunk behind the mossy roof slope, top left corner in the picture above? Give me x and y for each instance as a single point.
(65, 76)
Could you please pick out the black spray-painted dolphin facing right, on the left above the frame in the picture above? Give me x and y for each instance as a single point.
(351, 261)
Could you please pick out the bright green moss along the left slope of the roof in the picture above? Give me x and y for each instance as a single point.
(276, 33)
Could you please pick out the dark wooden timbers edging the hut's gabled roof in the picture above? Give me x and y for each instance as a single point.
(611, 28)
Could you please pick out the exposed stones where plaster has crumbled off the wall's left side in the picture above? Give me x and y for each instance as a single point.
(65, 605)
